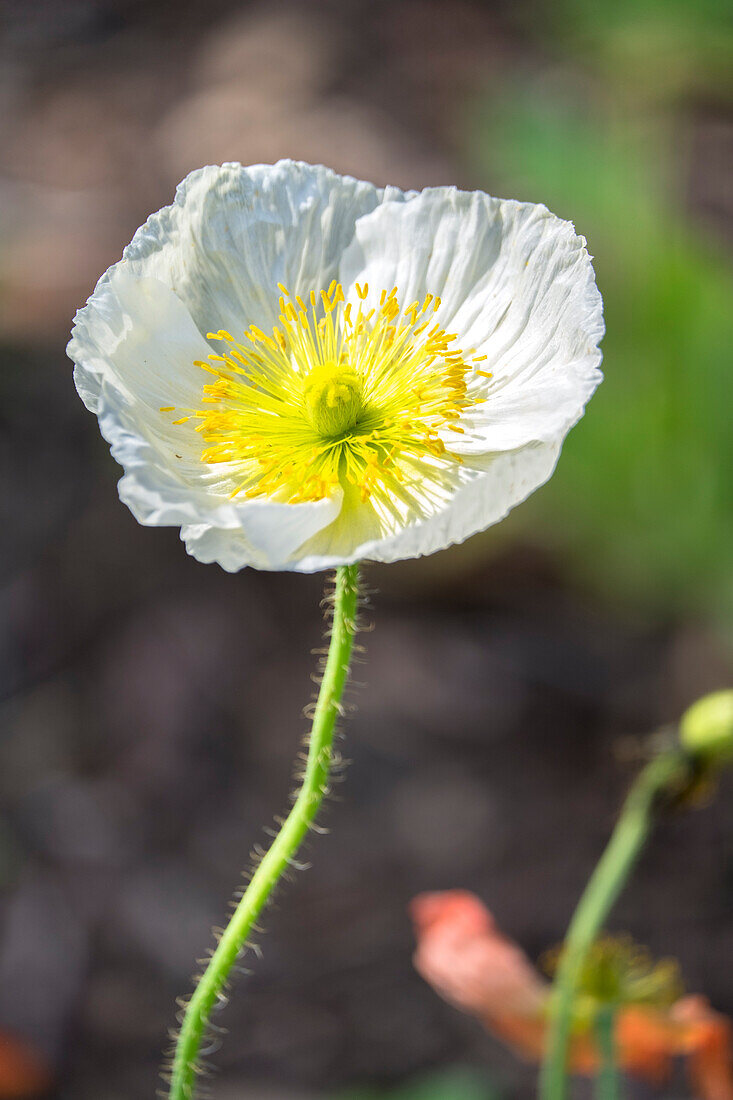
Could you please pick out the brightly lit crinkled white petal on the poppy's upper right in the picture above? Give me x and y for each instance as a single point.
(517, 285)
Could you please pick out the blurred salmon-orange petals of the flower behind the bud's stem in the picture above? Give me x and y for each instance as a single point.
(466, 959)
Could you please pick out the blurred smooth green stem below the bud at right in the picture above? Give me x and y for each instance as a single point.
(669, 774)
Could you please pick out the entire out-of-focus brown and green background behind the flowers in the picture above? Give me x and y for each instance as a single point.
(151, 706)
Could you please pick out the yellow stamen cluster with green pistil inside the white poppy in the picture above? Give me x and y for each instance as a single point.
(338, 397)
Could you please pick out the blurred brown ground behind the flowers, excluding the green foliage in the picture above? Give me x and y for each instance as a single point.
(151, 707)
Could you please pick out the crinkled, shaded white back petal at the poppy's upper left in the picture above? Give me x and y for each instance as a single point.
(234, 233)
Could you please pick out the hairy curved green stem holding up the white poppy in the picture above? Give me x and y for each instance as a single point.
(285, 848)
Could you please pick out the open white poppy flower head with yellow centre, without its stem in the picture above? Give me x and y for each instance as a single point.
(302, 370)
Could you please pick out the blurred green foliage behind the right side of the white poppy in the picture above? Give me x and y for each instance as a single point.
(643, 502)
